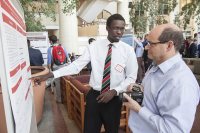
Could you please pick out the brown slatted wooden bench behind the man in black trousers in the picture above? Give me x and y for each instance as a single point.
(76, 105)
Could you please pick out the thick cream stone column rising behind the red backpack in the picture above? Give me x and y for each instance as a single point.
(68, 29)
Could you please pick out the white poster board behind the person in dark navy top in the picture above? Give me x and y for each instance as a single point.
(39, 40)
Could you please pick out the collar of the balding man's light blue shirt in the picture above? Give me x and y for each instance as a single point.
(165, 66)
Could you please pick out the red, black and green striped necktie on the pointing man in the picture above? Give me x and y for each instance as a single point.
(106, 74)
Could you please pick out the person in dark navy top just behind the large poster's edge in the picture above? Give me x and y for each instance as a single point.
(35, 56)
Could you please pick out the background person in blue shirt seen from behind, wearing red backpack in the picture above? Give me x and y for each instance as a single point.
(55, 84)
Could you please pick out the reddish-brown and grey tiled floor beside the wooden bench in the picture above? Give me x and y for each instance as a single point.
(55, 118)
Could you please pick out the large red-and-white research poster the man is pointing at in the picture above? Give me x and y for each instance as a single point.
(16, 63)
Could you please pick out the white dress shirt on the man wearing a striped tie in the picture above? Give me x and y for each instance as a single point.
(123, 65)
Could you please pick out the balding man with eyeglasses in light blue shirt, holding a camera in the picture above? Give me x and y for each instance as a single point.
(171, 92)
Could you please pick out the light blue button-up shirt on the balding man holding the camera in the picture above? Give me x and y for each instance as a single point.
(171, 95)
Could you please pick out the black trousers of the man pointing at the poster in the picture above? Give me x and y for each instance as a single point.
(97, 114)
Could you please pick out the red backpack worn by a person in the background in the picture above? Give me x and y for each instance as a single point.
(58, 53)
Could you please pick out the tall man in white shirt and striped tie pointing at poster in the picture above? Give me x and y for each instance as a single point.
(104, 107)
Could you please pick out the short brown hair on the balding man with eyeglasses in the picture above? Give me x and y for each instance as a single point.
(170, 34)
